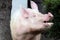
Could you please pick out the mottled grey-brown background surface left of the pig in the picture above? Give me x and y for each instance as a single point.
(5, 8)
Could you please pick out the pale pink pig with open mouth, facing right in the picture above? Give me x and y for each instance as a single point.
(27, 23)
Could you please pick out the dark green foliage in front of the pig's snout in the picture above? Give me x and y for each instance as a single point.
(54, 7)
